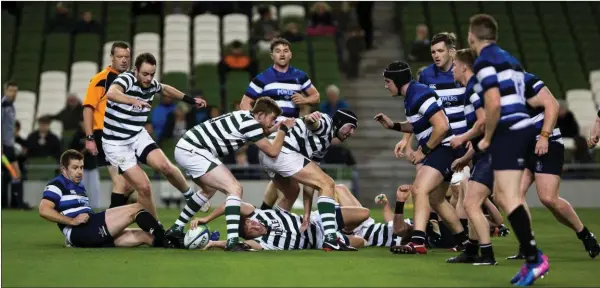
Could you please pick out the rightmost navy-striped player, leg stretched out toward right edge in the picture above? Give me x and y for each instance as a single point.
(545, 158)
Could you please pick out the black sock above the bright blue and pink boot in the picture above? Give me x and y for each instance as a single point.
(520, 222)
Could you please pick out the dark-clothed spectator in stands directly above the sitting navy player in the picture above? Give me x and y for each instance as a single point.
(42, 142)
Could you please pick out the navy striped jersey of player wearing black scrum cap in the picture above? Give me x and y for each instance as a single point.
(420, 104)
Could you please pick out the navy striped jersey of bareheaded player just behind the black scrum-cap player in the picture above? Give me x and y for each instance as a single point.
(450, 95)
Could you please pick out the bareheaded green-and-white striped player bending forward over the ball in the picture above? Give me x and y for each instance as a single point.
(198, 151)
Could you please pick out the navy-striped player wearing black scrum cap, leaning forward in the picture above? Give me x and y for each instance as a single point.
(429, 123)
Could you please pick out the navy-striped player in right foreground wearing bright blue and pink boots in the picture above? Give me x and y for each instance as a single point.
(500, 81)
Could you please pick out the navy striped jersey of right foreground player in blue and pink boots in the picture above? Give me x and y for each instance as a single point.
(497, 68)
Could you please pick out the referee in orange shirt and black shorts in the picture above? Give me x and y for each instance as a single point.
(94, 106)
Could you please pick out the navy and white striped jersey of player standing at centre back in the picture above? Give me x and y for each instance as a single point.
(280, 87)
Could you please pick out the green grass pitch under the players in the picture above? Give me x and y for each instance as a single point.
(33, 255)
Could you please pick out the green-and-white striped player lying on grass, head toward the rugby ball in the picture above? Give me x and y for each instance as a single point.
(278, 229)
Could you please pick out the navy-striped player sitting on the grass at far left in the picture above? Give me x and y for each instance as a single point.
(66, 203)
